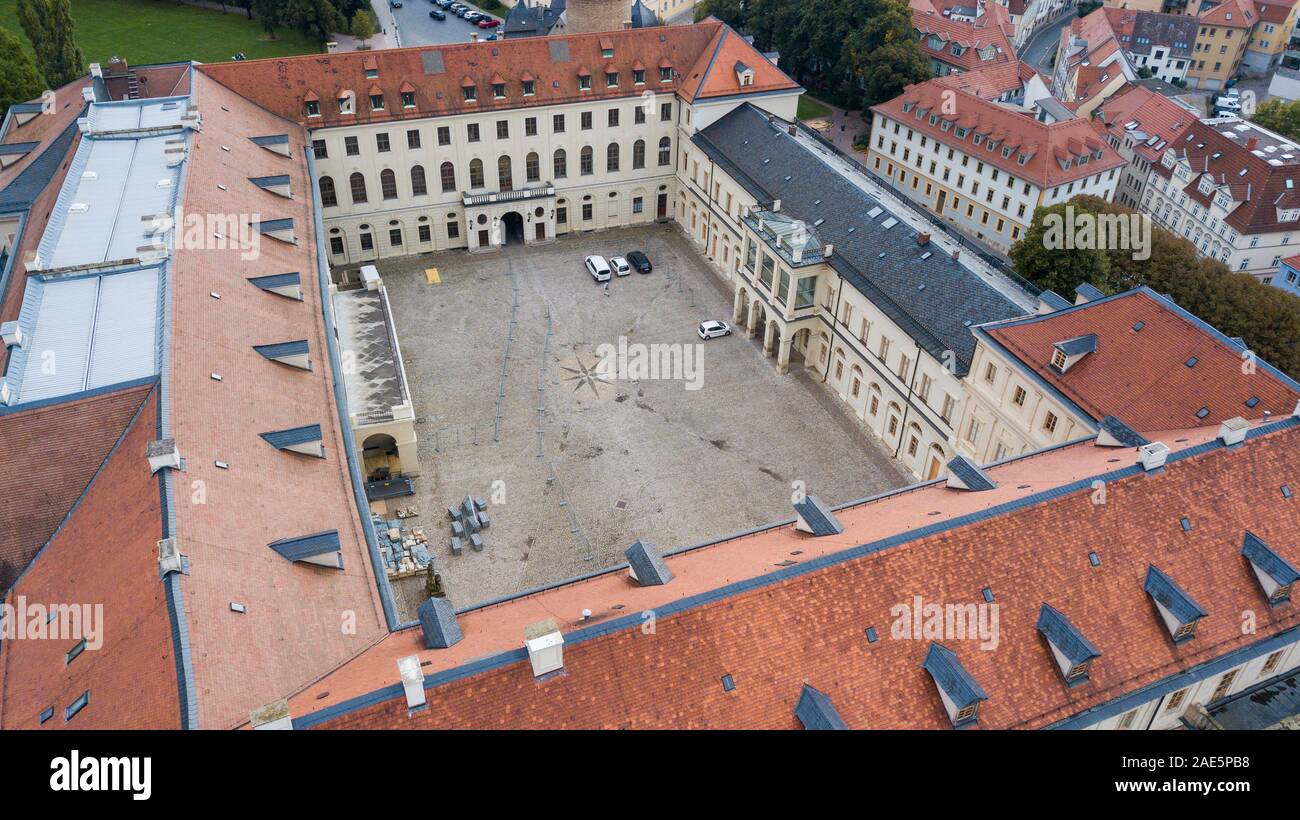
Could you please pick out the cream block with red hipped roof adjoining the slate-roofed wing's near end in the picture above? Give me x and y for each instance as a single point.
(1134, 357)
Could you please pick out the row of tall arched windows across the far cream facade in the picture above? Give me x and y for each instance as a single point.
(505, 172)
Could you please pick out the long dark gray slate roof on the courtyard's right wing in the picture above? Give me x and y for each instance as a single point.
(883, 264)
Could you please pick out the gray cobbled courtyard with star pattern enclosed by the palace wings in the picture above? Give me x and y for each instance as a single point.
(577, 463)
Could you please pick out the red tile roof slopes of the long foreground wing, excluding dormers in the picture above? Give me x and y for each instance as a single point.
(805, 624)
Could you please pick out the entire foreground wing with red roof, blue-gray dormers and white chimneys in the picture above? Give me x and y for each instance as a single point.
(1119, 609)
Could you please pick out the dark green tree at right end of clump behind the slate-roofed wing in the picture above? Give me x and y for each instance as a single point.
(886, 55)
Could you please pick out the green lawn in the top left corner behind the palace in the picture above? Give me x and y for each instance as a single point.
(163, 32)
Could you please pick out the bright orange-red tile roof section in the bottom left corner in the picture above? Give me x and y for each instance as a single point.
(106, 554)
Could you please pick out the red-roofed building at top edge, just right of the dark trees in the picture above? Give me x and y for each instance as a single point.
(959, 38)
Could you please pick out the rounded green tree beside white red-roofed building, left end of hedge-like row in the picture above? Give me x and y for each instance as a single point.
(1042, 258)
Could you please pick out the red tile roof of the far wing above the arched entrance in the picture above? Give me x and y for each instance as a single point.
(701, 55)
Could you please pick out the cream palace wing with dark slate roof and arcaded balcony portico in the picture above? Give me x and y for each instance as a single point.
(843, 279)
